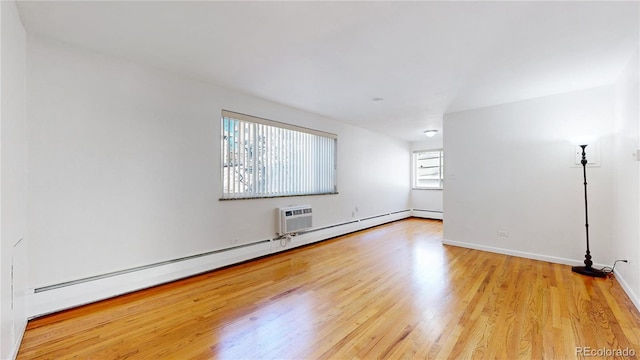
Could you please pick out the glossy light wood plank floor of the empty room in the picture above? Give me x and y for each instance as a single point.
(389, 292)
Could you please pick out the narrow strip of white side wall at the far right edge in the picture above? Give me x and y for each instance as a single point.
(626, 181)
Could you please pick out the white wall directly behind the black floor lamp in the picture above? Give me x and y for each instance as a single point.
(510, 168)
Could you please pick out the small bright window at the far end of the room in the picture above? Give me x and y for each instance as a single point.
(428, 169)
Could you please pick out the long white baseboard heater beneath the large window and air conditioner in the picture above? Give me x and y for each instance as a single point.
(46, 300)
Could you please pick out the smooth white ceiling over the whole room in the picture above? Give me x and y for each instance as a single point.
(333, 58)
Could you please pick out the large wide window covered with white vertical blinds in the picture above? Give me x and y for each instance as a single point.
(265, 158)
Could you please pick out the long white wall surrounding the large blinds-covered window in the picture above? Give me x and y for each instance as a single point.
(124, 167)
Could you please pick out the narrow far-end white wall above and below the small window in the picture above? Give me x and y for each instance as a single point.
(427, 203)
